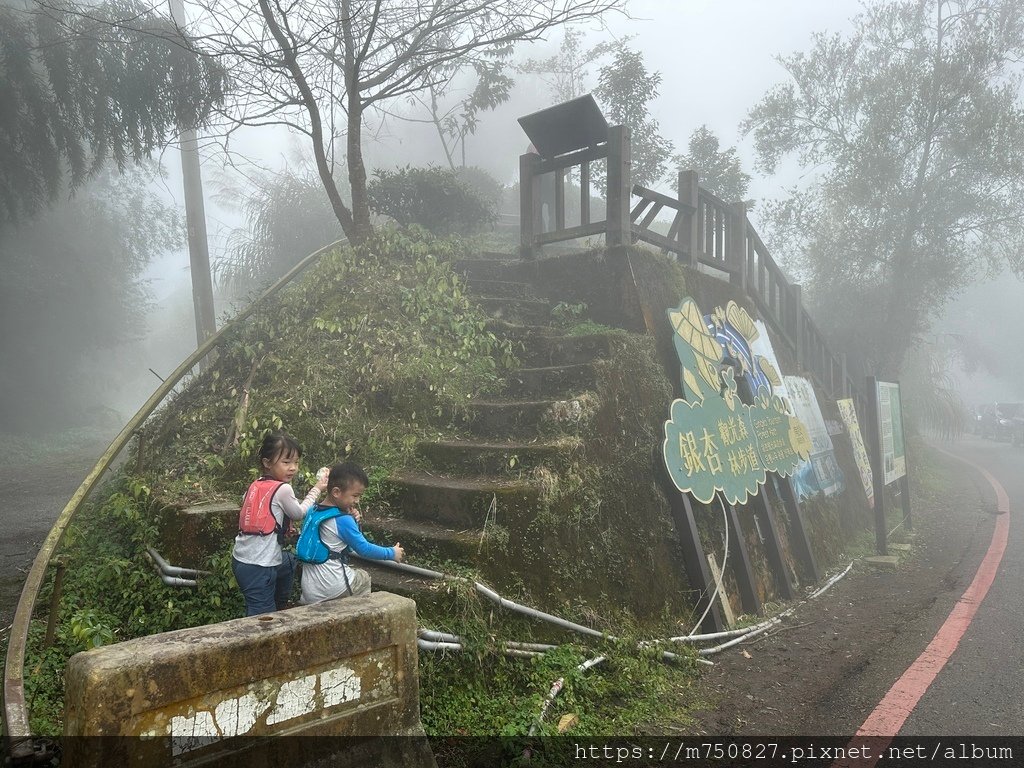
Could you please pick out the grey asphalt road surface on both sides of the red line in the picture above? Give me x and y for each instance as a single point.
(980, 690)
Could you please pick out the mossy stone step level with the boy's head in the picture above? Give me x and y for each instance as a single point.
(462, 501)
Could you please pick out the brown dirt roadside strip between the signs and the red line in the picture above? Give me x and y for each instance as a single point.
(833, 659)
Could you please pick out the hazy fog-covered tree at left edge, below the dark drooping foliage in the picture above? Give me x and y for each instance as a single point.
(71, 290)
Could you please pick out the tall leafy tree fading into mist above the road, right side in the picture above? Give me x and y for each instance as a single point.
(913, 134)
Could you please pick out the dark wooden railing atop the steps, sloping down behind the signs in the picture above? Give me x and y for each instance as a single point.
(705, 232)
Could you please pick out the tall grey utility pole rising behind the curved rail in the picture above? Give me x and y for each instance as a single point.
(199, 252)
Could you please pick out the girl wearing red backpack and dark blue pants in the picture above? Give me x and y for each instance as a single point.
(262, 568)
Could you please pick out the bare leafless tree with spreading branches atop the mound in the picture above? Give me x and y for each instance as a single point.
(320, 67)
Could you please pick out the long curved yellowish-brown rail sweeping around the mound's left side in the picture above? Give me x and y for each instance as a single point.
(16, 715)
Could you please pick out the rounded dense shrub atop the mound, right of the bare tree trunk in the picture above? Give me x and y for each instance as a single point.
(437, 199)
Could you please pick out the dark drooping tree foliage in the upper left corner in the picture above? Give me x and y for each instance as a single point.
(79, 90)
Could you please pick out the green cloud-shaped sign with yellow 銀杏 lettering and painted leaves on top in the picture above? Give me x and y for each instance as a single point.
(714, 442)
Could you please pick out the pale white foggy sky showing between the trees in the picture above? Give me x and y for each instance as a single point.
(716, 60)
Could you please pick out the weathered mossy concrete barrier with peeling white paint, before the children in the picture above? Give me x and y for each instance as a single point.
(243, 692)
